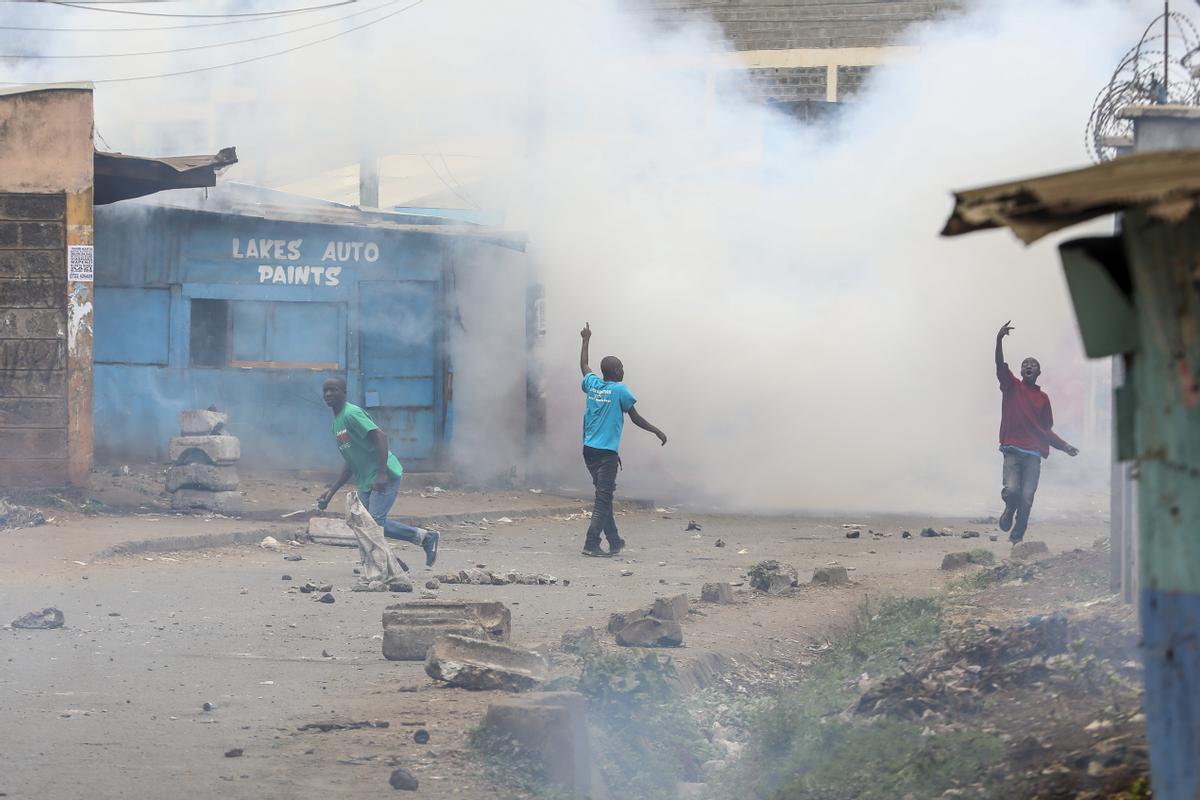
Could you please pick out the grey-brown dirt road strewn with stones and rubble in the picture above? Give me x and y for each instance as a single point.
(112, 706)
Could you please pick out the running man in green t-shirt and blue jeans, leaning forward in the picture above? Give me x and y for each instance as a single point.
(376, 471)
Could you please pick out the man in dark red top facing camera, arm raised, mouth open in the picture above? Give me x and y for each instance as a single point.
(1025, 437)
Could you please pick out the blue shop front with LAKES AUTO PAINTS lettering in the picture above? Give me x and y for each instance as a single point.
(251, 309)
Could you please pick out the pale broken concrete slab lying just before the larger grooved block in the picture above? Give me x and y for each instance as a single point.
(479, 665)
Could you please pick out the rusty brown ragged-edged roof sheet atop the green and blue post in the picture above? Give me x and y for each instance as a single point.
(1168, 183)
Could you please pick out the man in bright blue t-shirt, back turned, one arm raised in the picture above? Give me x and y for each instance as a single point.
(604, 418)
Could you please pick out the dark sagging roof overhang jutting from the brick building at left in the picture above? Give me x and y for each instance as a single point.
(121, 177)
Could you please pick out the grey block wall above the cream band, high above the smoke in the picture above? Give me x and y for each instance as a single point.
(795, 25)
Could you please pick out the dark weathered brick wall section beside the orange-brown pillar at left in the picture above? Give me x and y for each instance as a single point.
(33, 340)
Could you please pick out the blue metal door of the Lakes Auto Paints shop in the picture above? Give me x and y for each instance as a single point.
(400, 333)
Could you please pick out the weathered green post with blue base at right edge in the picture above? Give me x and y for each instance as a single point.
(1165, 268)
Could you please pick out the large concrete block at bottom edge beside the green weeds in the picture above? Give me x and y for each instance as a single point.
(550, 727)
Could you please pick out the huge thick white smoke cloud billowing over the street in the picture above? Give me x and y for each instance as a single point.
(783, 304)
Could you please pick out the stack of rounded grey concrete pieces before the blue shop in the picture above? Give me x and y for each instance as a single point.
(205, 474)
